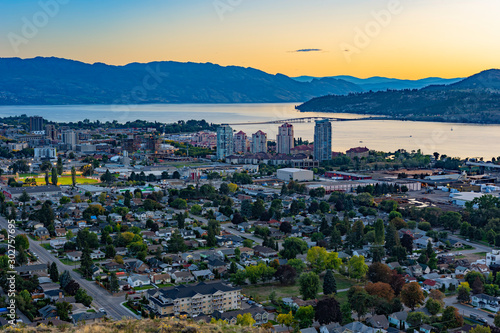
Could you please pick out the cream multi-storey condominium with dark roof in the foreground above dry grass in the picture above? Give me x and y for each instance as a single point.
(202, 298)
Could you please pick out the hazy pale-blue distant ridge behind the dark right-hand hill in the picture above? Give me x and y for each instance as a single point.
(378, 83)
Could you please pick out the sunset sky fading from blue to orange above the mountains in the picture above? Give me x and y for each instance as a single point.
(406, 39)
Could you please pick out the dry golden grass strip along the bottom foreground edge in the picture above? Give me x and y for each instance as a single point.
(144, 326)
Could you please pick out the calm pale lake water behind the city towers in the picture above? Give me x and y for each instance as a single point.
(462, 140)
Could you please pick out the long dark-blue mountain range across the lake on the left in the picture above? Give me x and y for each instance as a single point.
(42, 81)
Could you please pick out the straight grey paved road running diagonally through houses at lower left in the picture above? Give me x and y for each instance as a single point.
(102, 299)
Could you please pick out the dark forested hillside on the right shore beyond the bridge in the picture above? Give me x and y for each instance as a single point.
(475, 99)
